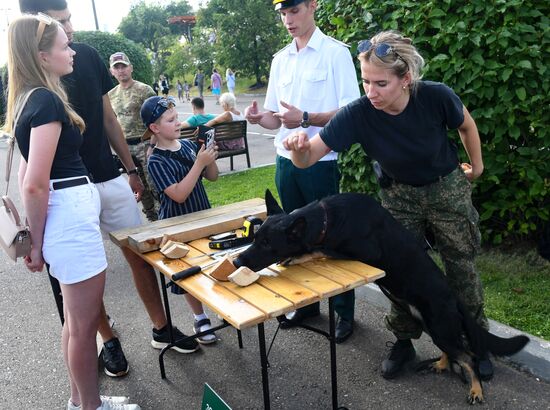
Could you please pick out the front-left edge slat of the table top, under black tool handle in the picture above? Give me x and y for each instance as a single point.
(239, 313)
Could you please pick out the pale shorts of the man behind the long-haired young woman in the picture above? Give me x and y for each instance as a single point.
(119, 209)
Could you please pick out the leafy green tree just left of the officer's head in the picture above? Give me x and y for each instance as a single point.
(246, 34)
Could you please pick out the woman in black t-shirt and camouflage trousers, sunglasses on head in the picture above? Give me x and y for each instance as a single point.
(401, 122)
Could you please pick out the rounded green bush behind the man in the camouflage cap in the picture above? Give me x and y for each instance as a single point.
(107, 44)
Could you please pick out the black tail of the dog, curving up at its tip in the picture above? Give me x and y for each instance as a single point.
(482, 341)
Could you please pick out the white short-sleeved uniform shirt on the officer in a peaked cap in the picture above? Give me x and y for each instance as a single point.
(319, 78)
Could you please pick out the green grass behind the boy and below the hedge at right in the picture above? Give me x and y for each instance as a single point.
(516, 283)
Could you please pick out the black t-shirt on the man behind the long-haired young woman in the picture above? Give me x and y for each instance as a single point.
(86, 86)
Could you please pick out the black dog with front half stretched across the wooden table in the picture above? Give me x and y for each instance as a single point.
(355, 226)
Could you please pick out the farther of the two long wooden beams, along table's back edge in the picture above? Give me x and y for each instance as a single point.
(120, 237)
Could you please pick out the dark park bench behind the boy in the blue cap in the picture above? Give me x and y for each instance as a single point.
(230, 137)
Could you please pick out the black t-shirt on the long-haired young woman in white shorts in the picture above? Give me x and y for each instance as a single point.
(44, 107)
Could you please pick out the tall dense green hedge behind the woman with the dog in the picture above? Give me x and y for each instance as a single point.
(494, 54)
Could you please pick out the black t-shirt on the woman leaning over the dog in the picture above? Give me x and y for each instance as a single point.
(412, 147)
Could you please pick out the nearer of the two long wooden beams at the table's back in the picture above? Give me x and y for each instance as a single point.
(150, 240)
